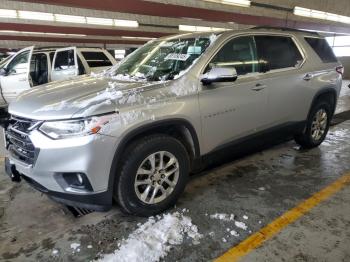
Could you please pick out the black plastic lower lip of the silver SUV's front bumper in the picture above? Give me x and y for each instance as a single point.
(101, 201)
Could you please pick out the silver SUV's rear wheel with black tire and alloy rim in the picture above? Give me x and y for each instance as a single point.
(309, 139)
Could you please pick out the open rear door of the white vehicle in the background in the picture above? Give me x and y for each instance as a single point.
(65, 64)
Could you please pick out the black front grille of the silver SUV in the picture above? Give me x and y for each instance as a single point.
(18, 142)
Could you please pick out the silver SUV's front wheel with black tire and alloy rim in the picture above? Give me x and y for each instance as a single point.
(137, 167)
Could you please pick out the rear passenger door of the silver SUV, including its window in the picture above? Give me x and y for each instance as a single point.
(281, 61)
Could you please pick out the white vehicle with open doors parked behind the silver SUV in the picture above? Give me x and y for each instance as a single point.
(31, 67)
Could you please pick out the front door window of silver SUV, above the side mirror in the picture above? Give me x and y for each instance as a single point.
(239, 53)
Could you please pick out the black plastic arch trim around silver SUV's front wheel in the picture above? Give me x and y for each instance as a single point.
(137, 131)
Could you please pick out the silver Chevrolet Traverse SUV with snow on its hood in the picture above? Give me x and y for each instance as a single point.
(136, 132)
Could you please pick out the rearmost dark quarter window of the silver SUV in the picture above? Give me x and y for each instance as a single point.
(322, 49)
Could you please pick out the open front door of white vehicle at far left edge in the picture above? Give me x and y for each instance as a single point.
(17, 78)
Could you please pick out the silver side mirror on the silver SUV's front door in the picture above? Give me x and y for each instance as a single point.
(220, 74)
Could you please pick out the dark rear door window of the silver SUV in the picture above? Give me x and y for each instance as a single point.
(277, 52)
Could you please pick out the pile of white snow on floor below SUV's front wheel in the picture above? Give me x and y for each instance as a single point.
(153, 240)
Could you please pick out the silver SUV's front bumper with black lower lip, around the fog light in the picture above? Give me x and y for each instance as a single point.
(91, 156)
